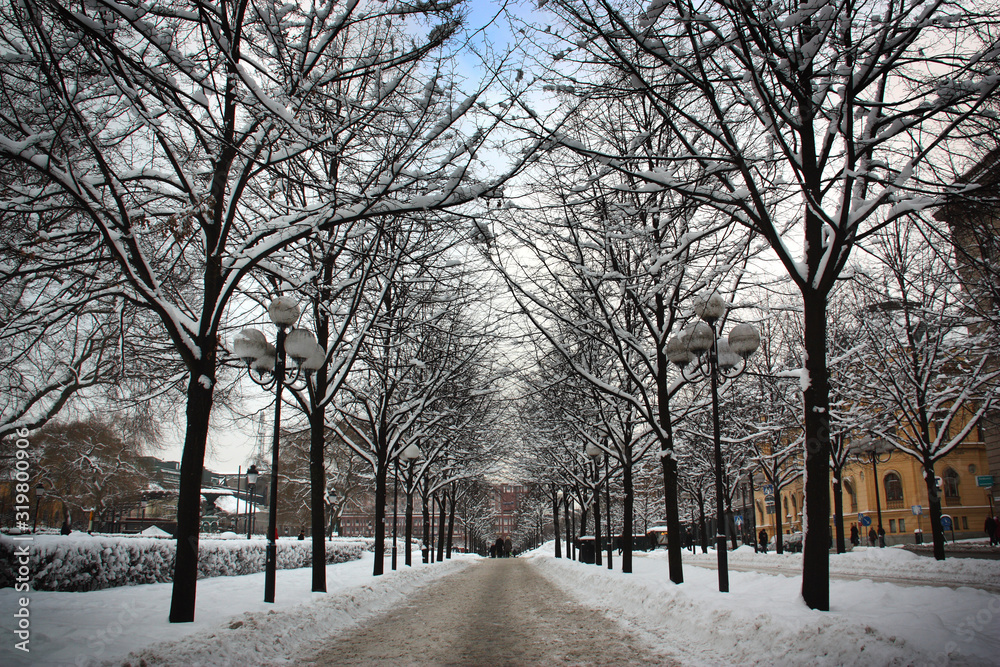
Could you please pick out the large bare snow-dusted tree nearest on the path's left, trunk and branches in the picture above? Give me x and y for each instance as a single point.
(173, 130)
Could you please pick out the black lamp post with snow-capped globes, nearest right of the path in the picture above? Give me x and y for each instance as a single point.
(700, 343)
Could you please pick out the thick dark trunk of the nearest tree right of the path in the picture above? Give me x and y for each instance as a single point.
(816, 544)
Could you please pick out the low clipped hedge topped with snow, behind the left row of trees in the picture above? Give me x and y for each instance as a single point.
(81, 562)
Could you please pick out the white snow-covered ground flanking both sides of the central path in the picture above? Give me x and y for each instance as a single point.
(762, 621)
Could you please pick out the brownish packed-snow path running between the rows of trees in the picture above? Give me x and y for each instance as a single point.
(495, 612)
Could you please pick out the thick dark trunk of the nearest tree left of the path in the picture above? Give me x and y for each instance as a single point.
(199, 408)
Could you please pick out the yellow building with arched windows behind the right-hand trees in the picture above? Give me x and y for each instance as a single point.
(901, 487)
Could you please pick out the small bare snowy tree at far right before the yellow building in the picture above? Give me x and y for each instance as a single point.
(930, 372)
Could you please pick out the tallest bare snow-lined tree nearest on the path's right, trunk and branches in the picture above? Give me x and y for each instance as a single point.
(809, 123)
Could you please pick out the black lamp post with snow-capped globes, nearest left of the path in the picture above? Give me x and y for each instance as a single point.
(251, 345)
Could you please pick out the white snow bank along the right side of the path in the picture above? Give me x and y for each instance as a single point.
(763, 620)
